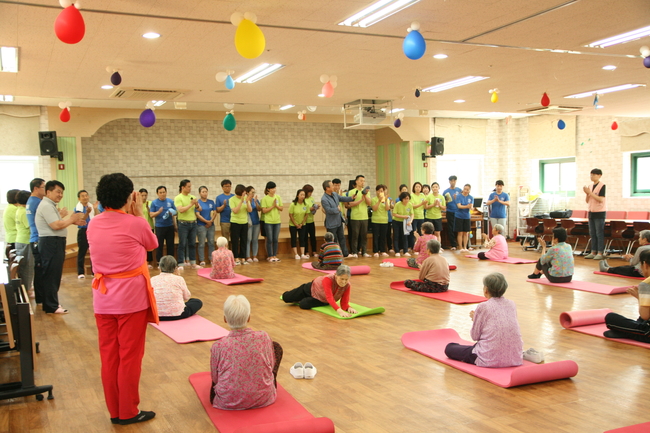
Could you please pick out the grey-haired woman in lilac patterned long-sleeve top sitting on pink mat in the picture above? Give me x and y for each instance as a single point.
(495, 330)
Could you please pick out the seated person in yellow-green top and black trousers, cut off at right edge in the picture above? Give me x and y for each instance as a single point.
(639, 329)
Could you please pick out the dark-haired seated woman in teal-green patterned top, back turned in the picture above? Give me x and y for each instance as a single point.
(557, 262)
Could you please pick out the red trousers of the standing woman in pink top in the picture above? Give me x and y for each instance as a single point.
(121, 347)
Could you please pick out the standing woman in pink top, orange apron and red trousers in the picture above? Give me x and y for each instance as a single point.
(123, 298)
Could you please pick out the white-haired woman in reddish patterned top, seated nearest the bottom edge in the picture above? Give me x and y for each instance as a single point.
(244, 364)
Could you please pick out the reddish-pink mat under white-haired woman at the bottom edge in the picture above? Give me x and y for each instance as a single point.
(286, 415)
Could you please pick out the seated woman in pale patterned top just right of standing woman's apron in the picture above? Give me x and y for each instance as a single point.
(173, 298)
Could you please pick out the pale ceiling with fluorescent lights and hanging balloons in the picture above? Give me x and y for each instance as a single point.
(198, 41)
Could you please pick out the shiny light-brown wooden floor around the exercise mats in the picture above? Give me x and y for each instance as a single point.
(367, 382)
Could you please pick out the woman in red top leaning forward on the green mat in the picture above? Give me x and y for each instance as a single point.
(325, 290)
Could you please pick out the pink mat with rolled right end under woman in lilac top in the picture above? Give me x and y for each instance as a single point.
(433, 343)
